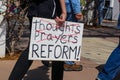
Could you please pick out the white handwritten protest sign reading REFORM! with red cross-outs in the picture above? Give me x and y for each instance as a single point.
(50, 42)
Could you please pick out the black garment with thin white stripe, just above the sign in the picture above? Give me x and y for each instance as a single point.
(44, 8)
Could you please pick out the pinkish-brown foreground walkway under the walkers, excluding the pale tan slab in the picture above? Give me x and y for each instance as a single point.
(40, 72)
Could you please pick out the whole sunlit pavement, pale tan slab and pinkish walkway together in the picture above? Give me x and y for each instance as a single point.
(95, 52)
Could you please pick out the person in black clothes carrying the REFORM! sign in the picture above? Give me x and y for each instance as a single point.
(52, 9)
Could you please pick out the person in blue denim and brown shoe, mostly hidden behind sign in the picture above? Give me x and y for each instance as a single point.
(74, 14)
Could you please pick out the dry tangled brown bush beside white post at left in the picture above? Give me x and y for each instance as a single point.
(14, 18)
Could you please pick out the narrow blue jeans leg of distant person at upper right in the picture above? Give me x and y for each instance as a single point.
(100, 11)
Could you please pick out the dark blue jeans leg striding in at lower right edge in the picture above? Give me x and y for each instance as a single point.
(112, 66)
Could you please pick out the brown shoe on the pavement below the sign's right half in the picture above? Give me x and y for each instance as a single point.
(73, 67)
